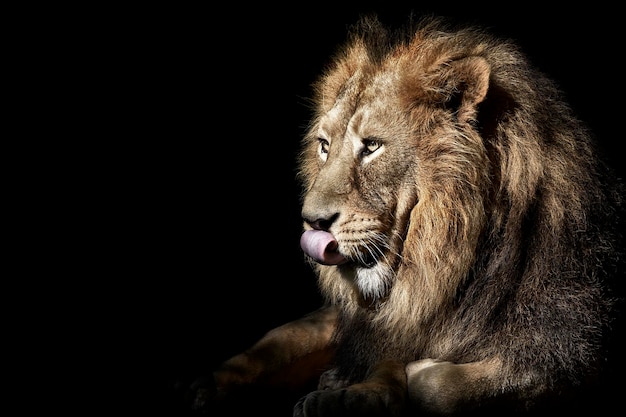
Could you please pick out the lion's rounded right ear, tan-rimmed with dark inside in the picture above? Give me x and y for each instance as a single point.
(462, 85)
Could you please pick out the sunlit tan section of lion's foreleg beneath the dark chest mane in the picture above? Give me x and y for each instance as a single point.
(445, 388)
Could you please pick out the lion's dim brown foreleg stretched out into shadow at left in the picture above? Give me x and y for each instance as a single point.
(288, 356)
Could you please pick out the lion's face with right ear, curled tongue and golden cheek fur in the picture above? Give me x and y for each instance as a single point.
(394, 170)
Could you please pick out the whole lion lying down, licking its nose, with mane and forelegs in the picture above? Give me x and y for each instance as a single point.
(464, 231)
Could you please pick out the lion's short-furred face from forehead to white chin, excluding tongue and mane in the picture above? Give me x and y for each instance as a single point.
(364, 187)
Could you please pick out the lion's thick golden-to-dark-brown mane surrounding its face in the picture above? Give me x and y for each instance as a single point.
(512, 233)
